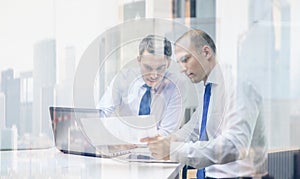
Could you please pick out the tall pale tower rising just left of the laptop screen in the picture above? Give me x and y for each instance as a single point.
(44, 80)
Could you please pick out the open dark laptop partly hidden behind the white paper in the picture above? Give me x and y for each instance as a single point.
(70, 137)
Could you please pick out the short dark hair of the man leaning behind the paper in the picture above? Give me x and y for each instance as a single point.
(155, 45)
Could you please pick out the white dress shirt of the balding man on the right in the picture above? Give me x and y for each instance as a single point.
(237, 144)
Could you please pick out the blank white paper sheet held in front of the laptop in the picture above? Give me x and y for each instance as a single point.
(118, 130)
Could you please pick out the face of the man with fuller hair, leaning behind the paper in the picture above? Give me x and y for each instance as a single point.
(153, 67)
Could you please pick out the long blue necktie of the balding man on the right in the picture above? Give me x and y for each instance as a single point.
(203, 135)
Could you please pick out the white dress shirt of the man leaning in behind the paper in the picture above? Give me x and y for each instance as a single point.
(123, 97)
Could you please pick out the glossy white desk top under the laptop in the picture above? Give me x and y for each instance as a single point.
(50, 163)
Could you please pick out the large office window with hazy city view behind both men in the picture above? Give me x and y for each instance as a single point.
(42, 43)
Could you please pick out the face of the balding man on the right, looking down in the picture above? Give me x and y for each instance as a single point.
(193, 61)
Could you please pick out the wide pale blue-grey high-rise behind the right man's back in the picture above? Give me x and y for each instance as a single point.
(264, 59)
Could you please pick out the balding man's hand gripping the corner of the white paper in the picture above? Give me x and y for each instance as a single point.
(159, 146)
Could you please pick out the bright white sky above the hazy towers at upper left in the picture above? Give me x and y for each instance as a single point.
(73, 23)
